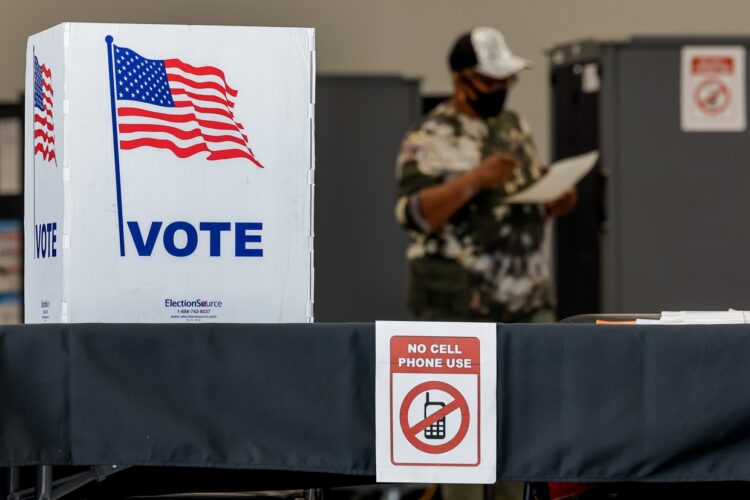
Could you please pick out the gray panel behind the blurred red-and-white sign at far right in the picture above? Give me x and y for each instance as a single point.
(682, 200)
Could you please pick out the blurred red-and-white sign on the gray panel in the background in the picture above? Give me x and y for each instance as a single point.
(713, 89)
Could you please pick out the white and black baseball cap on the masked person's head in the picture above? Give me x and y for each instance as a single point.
(486, 51)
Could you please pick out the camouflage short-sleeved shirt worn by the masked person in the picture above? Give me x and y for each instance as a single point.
(486, 262)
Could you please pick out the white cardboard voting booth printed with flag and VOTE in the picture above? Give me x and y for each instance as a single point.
(169, 174)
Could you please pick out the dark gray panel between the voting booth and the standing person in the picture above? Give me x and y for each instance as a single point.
(360, 267)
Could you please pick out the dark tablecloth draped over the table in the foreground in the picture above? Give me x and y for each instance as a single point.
(575, 402)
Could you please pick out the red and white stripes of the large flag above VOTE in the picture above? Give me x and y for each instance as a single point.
(201, 121)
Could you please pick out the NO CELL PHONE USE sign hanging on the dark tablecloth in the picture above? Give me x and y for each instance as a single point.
(435, 402)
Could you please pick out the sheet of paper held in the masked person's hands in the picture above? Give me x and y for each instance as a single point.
(560, 177)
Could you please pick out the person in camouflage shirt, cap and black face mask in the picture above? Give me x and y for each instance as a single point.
(471, 255)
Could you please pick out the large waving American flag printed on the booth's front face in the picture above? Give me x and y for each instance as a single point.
(170, 104)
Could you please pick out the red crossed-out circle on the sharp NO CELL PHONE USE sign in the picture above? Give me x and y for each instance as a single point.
(458, 404)
